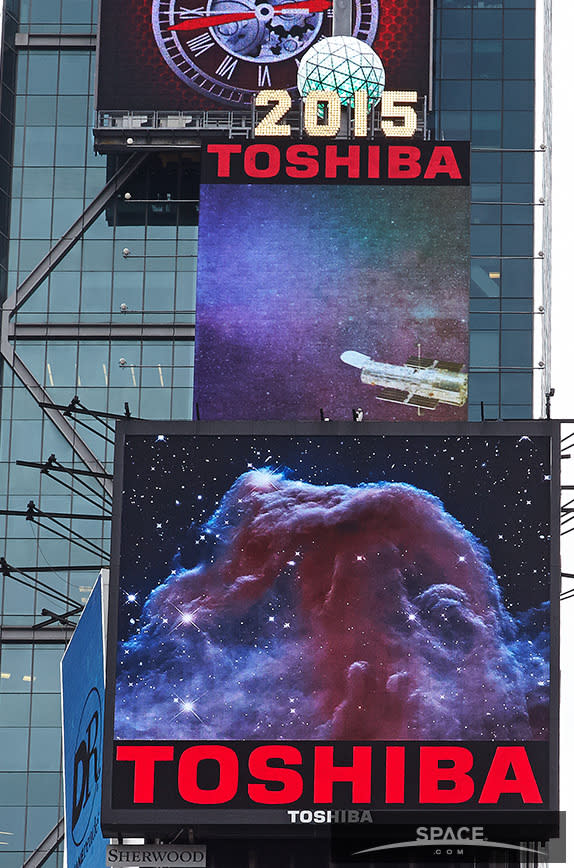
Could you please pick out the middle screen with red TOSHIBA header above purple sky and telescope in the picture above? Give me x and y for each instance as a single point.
(333, 277)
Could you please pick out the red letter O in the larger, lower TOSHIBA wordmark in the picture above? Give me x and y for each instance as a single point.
(189, 788)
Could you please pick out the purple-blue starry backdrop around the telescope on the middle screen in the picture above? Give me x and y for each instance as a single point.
(290, 277)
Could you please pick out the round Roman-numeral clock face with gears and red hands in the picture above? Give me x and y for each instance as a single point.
(231, 49)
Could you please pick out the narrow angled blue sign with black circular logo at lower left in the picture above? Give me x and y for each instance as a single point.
(83, 721)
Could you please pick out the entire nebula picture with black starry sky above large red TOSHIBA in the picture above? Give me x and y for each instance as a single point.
(355, 587)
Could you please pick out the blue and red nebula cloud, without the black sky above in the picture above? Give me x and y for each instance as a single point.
(333, 611)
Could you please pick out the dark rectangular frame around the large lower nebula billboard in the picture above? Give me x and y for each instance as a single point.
(123, 822)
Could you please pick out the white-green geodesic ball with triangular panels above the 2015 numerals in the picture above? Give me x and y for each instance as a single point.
(342, 64)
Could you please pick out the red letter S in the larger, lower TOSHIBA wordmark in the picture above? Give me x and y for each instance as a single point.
(290, 780)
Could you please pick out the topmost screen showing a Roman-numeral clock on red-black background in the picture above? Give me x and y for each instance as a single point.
(173, 55)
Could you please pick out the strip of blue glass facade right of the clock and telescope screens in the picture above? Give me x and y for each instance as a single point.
(484, 91)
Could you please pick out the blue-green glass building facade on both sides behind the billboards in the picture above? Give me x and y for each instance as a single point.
(113, 321)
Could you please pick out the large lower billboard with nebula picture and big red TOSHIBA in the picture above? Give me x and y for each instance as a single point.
(331, 617)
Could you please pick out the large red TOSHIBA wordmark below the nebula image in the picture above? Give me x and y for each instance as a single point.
(304, 775)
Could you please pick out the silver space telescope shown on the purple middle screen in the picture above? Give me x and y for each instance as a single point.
(421, 382)
